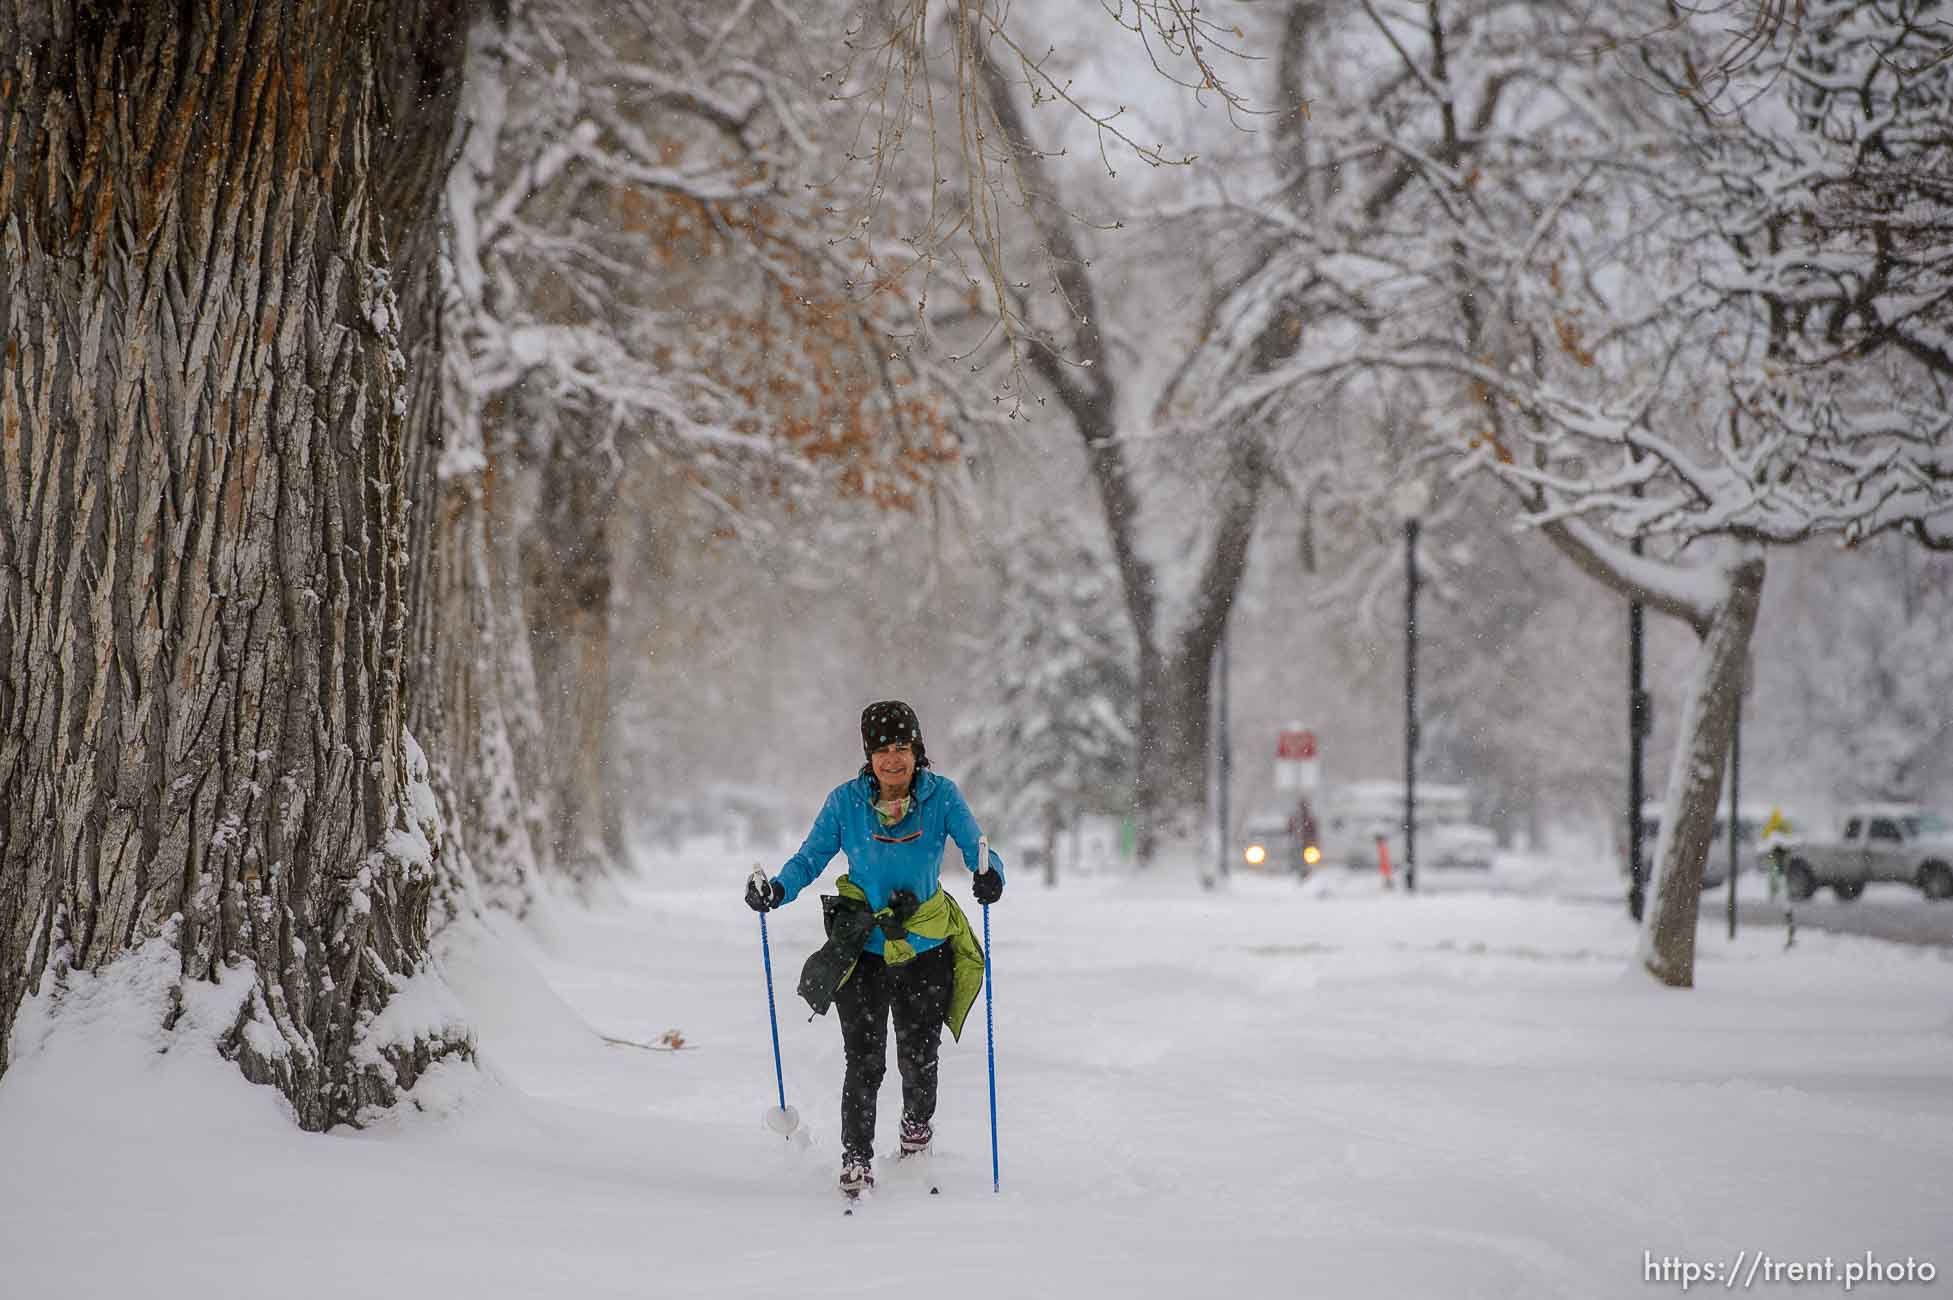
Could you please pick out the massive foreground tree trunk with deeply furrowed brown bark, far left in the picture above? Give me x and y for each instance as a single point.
(210, 220)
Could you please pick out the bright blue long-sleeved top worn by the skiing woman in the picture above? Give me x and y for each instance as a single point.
(882, 860)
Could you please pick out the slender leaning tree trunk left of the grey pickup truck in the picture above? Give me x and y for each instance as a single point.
(1696, 780)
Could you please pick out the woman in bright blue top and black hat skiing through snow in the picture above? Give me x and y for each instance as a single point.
(897, 944)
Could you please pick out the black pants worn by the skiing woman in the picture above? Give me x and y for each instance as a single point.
(917, 995)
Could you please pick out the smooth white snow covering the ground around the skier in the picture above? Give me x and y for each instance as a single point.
(1268, 1090)
